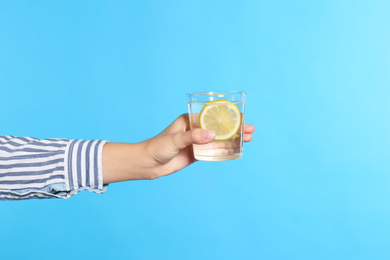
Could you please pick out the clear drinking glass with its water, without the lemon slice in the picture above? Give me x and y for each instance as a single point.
(220, 150)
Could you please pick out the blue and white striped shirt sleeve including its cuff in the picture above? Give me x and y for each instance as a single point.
(49, 168)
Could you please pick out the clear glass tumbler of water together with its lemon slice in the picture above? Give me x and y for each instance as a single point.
(233, 103)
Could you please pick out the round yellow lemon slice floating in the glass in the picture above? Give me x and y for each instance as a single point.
(220, 116)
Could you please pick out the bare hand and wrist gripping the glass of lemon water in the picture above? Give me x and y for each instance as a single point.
(164, 154)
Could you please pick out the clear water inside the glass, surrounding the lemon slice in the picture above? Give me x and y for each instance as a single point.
(217, 150)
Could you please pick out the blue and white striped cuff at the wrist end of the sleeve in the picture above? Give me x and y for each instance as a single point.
(83, 166)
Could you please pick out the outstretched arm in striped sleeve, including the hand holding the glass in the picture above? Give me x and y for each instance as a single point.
(60, 168)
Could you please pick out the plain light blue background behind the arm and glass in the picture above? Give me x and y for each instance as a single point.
(313, 184)
